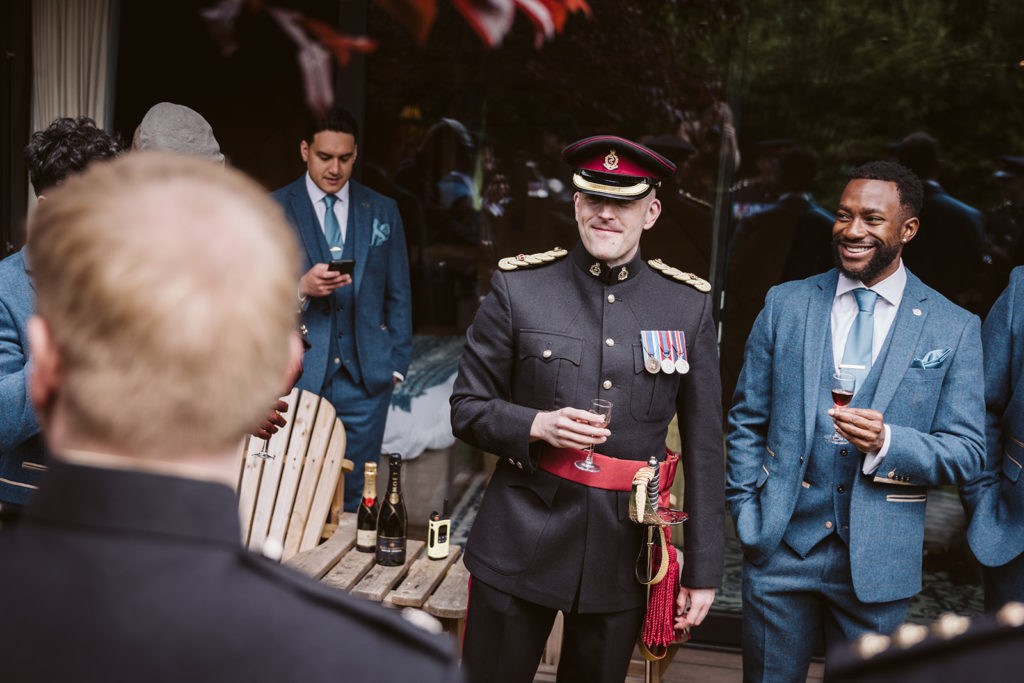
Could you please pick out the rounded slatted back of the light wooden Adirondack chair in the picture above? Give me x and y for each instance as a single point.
(285, 503)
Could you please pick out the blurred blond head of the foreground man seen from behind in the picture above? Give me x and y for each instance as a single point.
(168, 285)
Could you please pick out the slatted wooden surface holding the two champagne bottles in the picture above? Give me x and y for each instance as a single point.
(439, 587)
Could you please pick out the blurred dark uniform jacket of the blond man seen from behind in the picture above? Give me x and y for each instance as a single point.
(117, 576)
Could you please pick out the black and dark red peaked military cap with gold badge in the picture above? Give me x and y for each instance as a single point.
(612, 166)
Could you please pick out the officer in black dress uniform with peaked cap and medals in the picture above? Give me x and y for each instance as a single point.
(559, 330)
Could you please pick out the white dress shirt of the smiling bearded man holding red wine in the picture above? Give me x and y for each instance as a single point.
(844, 312)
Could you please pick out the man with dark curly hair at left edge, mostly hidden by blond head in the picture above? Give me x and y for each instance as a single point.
(66, 147)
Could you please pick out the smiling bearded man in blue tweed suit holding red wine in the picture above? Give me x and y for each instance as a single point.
(833, 534)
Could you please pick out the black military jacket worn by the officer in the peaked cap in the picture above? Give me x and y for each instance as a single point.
(558, 336)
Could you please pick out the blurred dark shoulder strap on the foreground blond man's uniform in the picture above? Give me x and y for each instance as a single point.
(413, 637)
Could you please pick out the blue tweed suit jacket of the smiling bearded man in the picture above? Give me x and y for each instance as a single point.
(934, 412)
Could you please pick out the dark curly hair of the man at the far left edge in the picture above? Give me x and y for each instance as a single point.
(67, 147)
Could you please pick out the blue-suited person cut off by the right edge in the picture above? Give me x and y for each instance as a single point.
(996, 501)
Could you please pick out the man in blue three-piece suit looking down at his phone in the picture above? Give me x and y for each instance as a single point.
(360, 322)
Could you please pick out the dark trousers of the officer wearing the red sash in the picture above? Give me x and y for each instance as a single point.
(505, 638)
